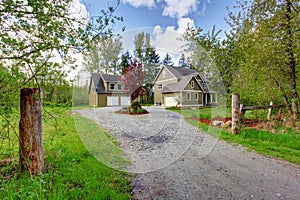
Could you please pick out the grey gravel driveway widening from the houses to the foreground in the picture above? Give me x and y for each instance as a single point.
(174, 160)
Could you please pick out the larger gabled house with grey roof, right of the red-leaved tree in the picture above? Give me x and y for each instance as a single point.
(176, 86)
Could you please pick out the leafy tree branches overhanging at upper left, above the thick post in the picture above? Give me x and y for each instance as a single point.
(37, 38)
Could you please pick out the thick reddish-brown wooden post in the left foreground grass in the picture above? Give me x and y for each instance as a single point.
(30, 127)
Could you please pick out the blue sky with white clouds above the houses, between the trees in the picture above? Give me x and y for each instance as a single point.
(166, 20)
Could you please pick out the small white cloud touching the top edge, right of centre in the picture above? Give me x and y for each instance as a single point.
(179, 8)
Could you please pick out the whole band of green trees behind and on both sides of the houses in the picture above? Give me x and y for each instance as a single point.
(258, 57)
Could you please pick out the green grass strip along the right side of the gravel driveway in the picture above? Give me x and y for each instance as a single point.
(284, 143)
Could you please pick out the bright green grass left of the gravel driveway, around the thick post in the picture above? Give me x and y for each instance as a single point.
(71, 172)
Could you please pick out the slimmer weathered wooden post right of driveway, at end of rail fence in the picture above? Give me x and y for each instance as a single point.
(235, 103)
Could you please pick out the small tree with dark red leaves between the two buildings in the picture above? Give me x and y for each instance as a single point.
(132, 79)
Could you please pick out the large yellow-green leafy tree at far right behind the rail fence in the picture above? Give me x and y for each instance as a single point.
(267, 40)
